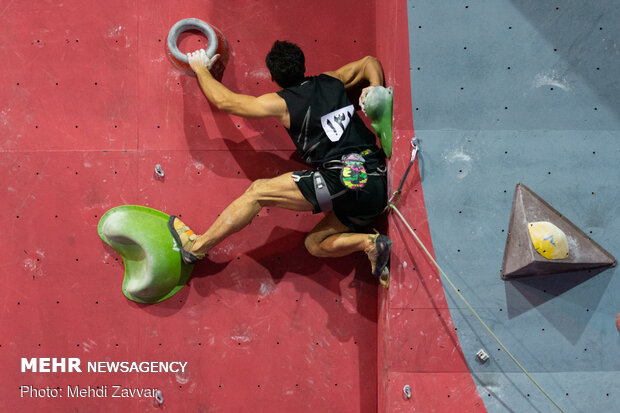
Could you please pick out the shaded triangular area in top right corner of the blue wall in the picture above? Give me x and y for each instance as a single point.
(586, 35)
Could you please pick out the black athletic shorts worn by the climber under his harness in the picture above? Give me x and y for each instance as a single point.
(355, 209)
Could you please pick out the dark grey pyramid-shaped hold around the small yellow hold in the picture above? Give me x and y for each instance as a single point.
(520, 257)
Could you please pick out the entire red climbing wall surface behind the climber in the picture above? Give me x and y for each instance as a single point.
(89, 104)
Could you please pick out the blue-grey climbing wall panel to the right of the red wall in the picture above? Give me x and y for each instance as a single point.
(523, 91)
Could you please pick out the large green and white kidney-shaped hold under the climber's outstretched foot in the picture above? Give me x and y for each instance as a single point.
(154, 270)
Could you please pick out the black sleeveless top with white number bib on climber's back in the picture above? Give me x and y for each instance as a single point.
(324, 124)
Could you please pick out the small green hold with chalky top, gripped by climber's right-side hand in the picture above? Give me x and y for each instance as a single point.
(378, 106)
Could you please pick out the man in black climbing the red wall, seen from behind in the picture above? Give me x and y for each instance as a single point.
(325, 130)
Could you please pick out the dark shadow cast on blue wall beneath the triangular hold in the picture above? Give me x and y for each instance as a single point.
(569, 313)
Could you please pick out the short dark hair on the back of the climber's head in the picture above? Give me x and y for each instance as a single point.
(287, 63)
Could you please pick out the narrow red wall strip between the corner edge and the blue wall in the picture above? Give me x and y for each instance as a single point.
(418, 345)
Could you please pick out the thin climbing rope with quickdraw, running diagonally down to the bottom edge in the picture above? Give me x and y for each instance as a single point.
(392, 205)
